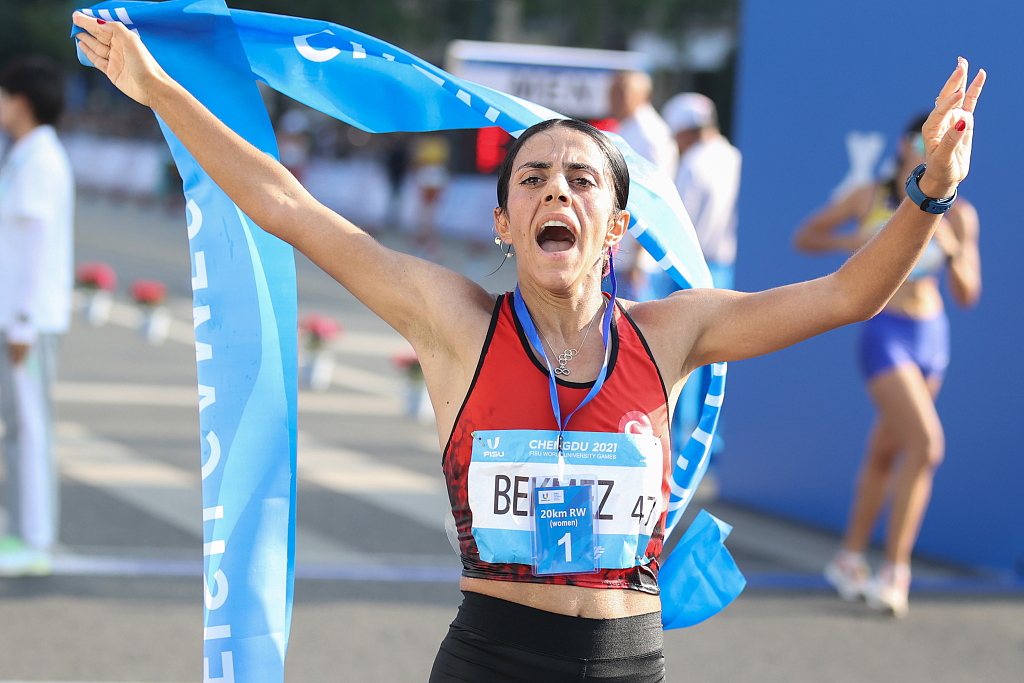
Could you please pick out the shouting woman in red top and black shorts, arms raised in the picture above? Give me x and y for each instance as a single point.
(562, 205)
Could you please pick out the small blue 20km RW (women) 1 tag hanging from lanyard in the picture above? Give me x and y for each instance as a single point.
(565, 533)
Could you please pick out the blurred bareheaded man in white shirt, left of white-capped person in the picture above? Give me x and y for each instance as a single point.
(646, 132)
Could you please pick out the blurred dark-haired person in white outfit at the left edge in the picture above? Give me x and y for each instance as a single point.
(37, 196)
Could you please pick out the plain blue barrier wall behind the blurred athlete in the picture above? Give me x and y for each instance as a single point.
(796, 421)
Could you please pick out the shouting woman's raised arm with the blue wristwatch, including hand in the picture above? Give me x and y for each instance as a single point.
(697, 327)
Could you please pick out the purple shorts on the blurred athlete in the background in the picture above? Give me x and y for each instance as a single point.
(887, 341)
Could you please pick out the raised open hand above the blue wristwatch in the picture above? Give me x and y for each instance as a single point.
(949, 133)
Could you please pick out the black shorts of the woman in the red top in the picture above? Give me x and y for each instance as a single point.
(497, 642)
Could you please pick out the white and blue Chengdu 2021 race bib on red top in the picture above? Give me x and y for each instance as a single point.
(625, 469)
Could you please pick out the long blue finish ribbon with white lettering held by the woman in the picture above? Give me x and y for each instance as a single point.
(245, 297)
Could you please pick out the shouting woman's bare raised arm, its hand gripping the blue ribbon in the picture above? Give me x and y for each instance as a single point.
(432, 307)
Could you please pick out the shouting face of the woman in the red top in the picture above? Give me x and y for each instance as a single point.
(561, 208)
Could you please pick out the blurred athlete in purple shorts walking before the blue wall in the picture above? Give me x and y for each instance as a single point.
(904, 353)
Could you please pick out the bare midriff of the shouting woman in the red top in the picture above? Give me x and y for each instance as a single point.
(570, 601)
